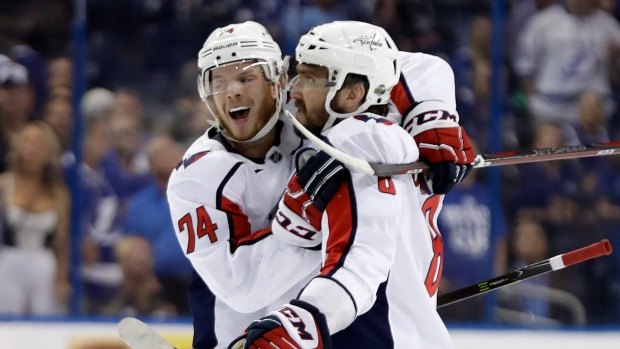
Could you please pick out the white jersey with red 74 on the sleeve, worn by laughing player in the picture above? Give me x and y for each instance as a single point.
(219, 202)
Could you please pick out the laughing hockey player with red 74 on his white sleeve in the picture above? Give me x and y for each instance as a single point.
(222, 193)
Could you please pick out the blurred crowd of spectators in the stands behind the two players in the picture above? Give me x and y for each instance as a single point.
(561, 86)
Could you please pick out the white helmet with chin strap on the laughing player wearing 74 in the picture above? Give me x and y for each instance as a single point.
(237, 43)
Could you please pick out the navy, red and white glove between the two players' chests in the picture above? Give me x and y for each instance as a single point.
(318, 178)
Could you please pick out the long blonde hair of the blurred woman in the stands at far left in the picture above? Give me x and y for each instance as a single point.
(52, 170)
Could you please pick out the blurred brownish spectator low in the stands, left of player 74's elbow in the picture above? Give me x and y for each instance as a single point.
(141, 290)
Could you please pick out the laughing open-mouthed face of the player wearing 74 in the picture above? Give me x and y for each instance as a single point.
(241, 98)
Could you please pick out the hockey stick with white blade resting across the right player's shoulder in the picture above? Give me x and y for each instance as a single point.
(482, 160)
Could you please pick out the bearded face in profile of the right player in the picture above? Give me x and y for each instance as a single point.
(309, 92)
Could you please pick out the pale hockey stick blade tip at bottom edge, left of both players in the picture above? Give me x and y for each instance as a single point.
(139, 335)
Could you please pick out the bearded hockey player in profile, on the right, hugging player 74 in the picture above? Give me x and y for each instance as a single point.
(381, 256)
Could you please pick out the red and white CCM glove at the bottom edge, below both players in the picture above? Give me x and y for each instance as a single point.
(298, 325)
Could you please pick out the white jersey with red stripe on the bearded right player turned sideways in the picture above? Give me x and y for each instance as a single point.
(378, 243)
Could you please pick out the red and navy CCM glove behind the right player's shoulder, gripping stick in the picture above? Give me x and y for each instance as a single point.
(449, 155)
